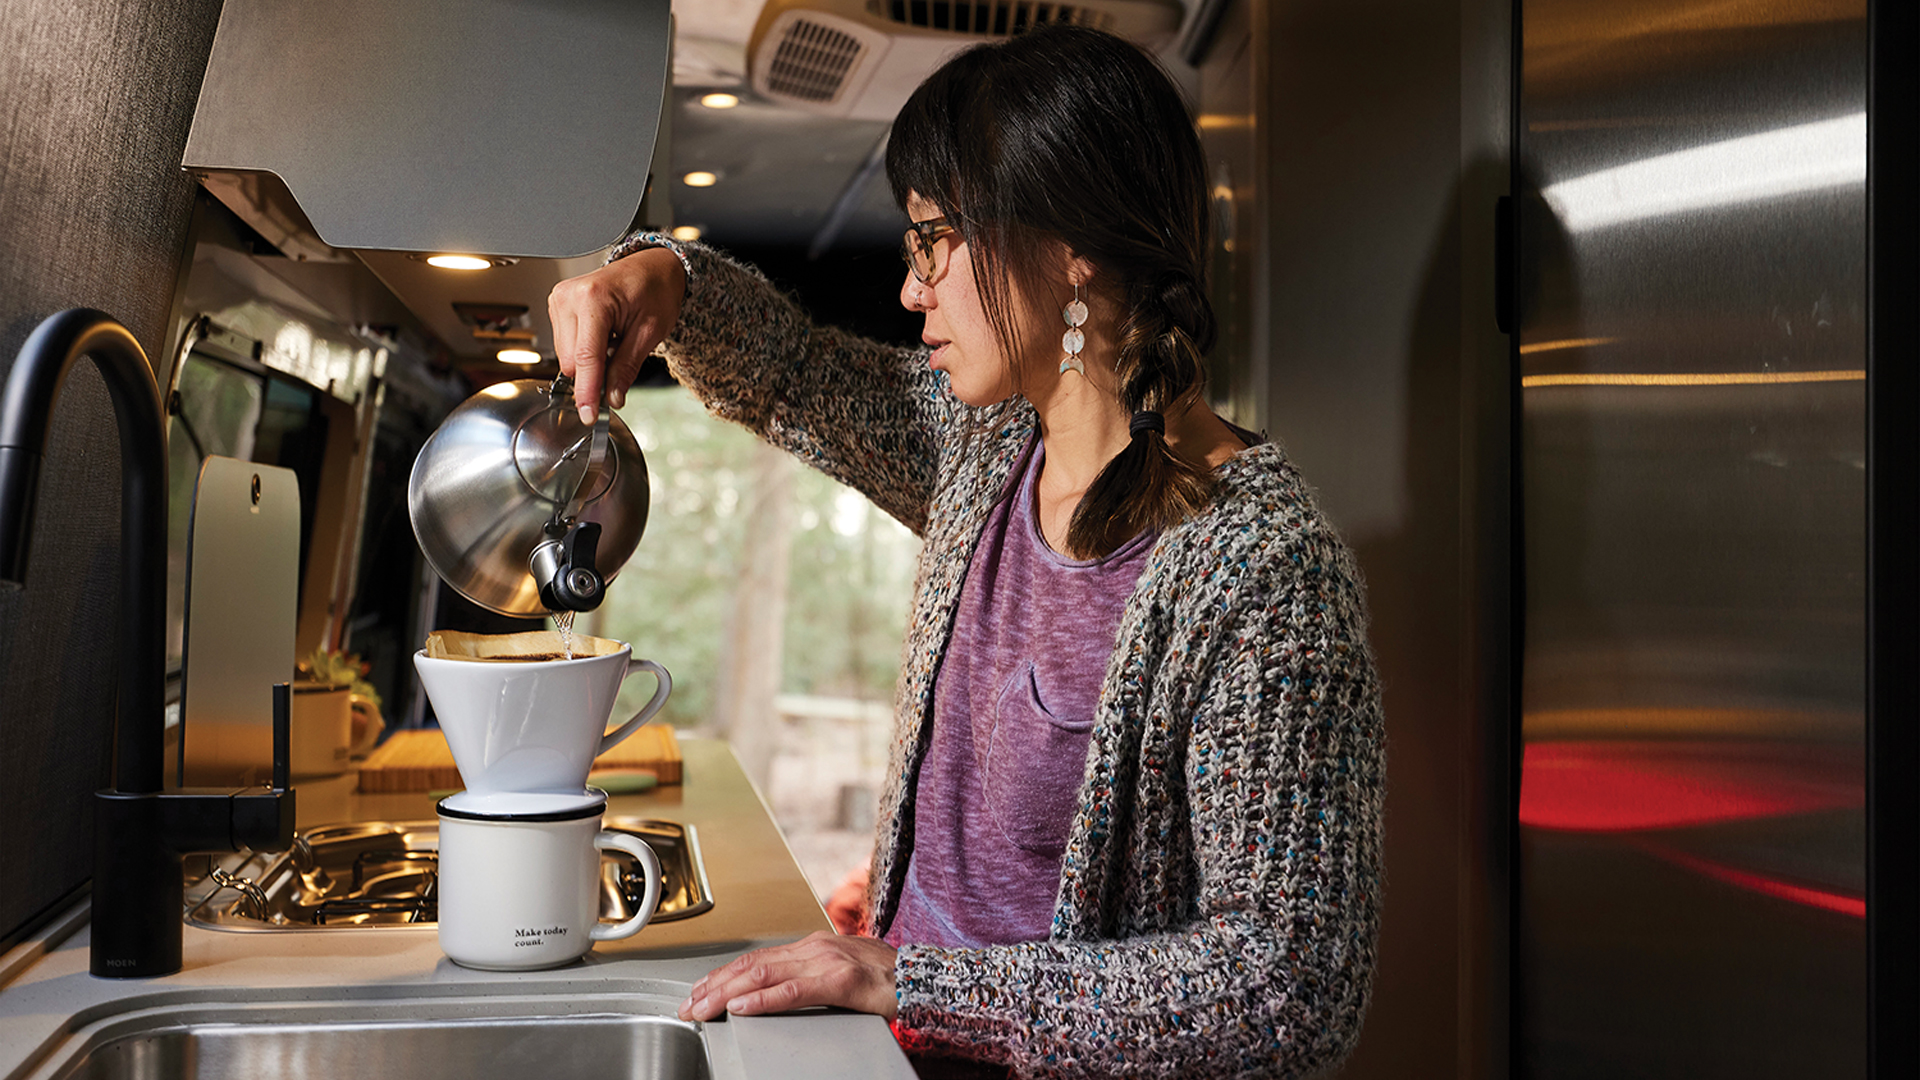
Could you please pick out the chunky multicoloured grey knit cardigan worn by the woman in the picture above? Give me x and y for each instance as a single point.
(1220, 889)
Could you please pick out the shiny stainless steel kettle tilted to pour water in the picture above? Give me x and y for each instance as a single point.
(521, 506)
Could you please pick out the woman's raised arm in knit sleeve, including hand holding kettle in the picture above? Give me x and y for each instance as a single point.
(867, 414)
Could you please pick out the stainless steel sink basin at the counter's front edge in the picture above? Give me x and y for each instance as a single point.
(587, 1037)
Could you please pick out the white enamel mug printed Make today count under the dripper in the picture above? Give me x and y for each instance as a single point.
(521, 879)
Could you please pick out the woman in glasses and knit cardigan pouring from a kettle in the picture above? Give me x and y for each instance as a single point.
(1134, 812)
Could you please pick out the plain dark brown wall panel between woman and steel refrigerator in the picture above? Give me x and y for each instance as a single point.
(1387, 381)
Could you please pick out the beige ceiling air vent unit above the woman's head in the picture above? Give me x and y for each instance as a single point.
(863, 59)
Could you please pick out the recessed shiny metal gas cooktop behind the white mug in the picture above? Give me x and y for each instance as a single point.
(385, 875)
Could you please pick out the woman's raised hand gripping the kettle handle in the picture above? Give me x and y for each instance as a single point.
(608, 322)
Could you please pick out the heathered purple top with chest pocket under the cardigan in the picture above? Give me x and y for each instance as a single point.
(1013, 712)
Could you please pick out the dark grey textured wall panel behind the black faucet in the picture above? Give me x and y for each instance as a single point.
(95, 105)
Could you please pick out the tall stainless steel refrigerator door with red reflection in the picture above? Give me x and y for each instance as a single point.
(1692, 356)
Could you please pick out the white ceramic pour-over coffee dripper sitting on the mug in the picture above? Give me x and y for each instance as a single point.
(537, 725)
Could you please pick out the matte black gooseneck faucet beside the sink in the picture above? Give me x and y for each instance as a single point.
(139, 831)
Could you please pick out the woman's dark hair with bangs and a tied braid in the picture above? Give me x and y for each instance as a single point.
(1076, 137)
